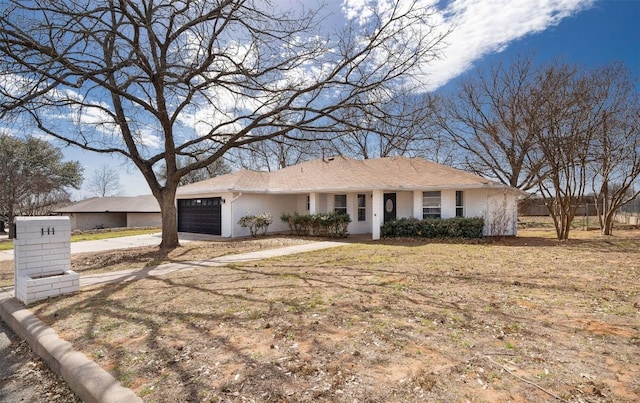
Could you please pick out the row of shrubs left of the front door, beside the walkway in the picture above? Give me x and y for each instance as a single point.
(334, 225)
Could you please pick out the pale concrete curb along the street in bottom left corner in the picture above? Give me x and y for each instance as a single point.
(87, 379)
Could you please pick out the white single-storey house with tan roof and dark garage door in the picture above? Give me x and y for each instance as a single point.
(371, 191)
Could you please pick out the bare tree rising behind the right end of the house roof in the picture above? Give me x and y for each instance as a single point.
(487, 117)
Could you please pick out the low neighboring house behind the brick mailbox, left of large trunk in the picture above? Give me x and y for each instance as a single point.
(113, 212)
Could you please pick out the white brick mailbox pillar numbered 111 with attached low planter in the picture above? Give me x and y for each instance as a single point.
(42, 258)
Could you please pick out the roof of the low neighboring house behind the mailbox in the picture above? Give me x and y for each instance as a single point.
(114, 204)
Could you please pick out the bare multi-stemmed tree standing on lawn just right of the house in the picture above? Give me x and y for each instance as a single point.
(562, 107)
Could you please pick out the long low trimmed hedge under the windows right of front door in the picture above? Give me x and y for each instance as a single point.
(456, 227)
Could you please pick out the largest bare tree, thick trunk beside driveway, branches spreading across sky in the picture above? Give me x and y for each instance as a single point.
(153, 81)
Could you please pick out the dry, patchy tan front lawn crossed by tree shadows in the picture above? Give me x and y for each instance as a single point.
(524, 319)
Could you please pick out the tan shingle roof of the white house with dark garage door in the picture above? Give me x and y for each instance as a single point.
(343, 174)
